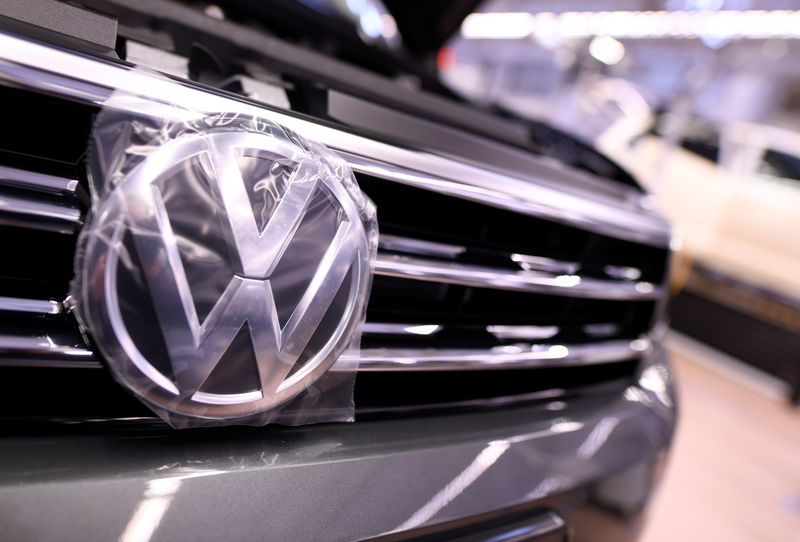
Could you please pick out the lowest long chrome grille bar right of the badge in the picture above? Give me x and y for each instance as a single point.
(503, 357)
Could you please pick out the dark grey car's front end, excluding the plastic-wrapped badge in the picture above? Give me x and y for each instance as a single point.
(512, 380)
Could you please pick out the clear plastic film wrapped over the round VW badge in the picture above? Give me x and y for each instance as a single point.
(225, 268)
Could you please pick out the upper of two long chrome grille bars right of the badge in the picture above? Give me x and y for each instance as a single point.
(522, 281)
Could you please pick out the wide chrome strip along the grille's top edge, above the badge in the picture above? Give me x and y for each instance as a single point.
(93, 80)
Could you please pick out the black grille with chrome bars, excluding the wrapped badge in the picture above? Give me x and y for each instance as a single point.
(488, 290)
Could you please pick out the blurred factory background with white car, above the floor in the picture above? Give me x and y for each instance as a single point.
(700, 100)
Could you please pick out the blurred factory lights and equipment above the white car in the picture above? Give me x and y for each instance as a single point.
(581, 69)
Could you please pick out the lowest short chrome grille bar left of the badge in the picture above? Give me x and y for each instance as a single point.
(18, 351)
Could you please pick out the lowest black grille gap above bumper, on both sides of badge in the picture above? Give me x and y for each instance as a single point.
(73, 396)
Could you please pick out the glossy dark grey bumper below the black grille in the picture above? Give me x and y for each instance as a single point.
(588, 458)
